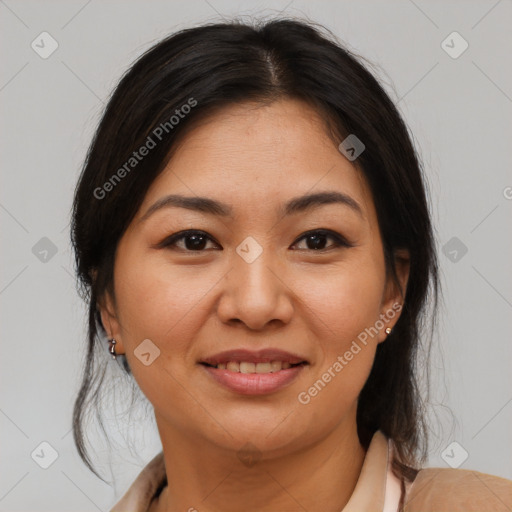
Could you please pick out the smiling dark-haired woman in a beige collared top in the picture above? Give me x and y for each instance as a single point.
(252, 231)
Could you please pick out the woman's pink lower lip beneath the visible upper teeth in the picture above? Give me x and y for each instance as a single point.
(254, 383)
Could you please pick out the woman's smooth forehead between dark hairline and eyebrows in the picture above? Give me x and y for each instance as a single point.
(249, 155)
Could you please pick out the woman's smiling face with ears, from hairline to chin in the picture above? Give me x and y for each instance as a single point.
(282, 276)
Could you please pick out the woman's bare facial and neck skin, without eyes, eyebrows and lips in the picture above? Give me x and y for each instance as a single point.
(191, 304)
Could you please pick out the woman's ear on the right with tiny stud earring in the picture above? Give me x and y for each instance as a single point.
(394, 295)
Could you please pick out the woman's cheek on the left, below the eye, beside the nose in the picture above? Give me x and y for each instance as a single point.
(167, 306)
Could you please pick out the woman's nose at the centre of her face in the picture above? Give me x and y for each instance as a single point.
(256, 294)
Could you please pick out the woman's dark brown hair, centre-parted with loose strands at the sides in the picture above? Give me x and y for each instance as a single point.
(214, 65)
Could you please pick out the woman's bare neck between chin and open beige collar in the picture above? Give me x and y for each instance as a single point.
(203, 477)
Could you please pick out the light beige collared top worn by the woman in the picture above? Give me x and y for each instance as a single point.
(376, 490)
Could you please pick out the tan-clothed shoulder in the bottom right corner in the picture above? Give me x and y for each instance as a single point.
(453, 490)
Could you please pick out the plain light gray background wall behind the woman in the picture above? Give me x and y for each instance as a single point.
(459, 110)
